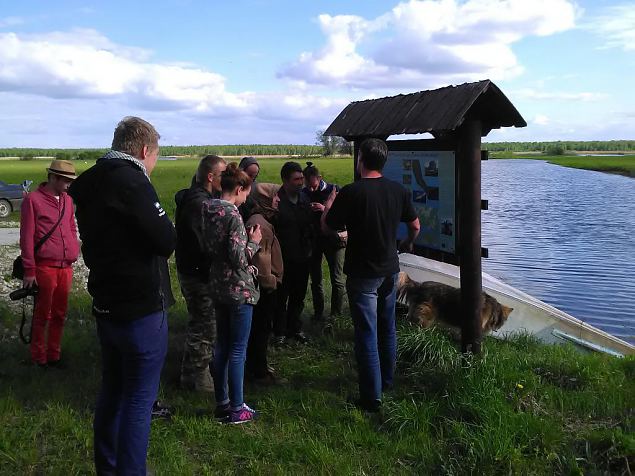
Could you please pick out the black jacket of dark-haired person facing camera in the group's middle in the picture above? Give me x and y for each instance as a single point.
(295, 228)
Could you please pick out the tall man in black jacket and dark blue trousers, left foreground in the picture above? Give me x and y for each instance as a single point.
(126, 240)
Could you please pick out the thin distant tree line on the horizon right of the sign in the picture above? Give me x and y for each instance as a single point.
(560, 147)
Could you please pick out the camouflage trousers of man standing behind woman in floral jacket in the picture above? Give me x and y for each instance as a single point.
(200, 337)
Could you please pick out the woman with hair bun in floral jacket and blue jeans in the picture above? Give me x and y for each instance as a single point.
(234, 291)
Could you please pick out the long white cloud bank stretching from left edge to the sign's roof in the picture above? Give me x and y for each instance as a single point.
(84, 64)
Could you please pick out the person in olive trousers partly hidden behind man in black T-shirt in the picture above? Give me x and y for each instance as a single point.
(332, 247)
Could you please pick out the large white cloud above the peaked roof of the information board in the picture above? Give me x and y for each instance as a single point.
(429, 43)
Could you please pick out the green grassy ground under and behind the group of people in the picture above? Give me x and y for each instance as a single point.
(519, 408)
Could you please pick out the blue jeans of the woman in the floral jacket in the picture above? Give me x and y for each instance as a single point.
(233, 323)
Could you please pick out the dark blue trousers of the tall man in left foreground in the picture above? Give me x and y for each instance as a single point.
(132, 358)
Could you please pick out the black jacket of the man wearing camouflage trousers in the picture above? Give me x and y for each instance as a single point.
(191, 260)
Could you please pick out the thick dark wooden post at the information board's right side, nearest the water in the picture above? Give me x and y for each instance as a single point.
(469, 162)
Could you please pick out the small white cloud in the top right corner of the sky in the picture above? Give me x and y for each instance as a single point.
(616, 26)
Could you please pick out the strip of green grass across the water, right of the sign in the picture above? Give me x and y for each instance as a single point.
(624, 165)
